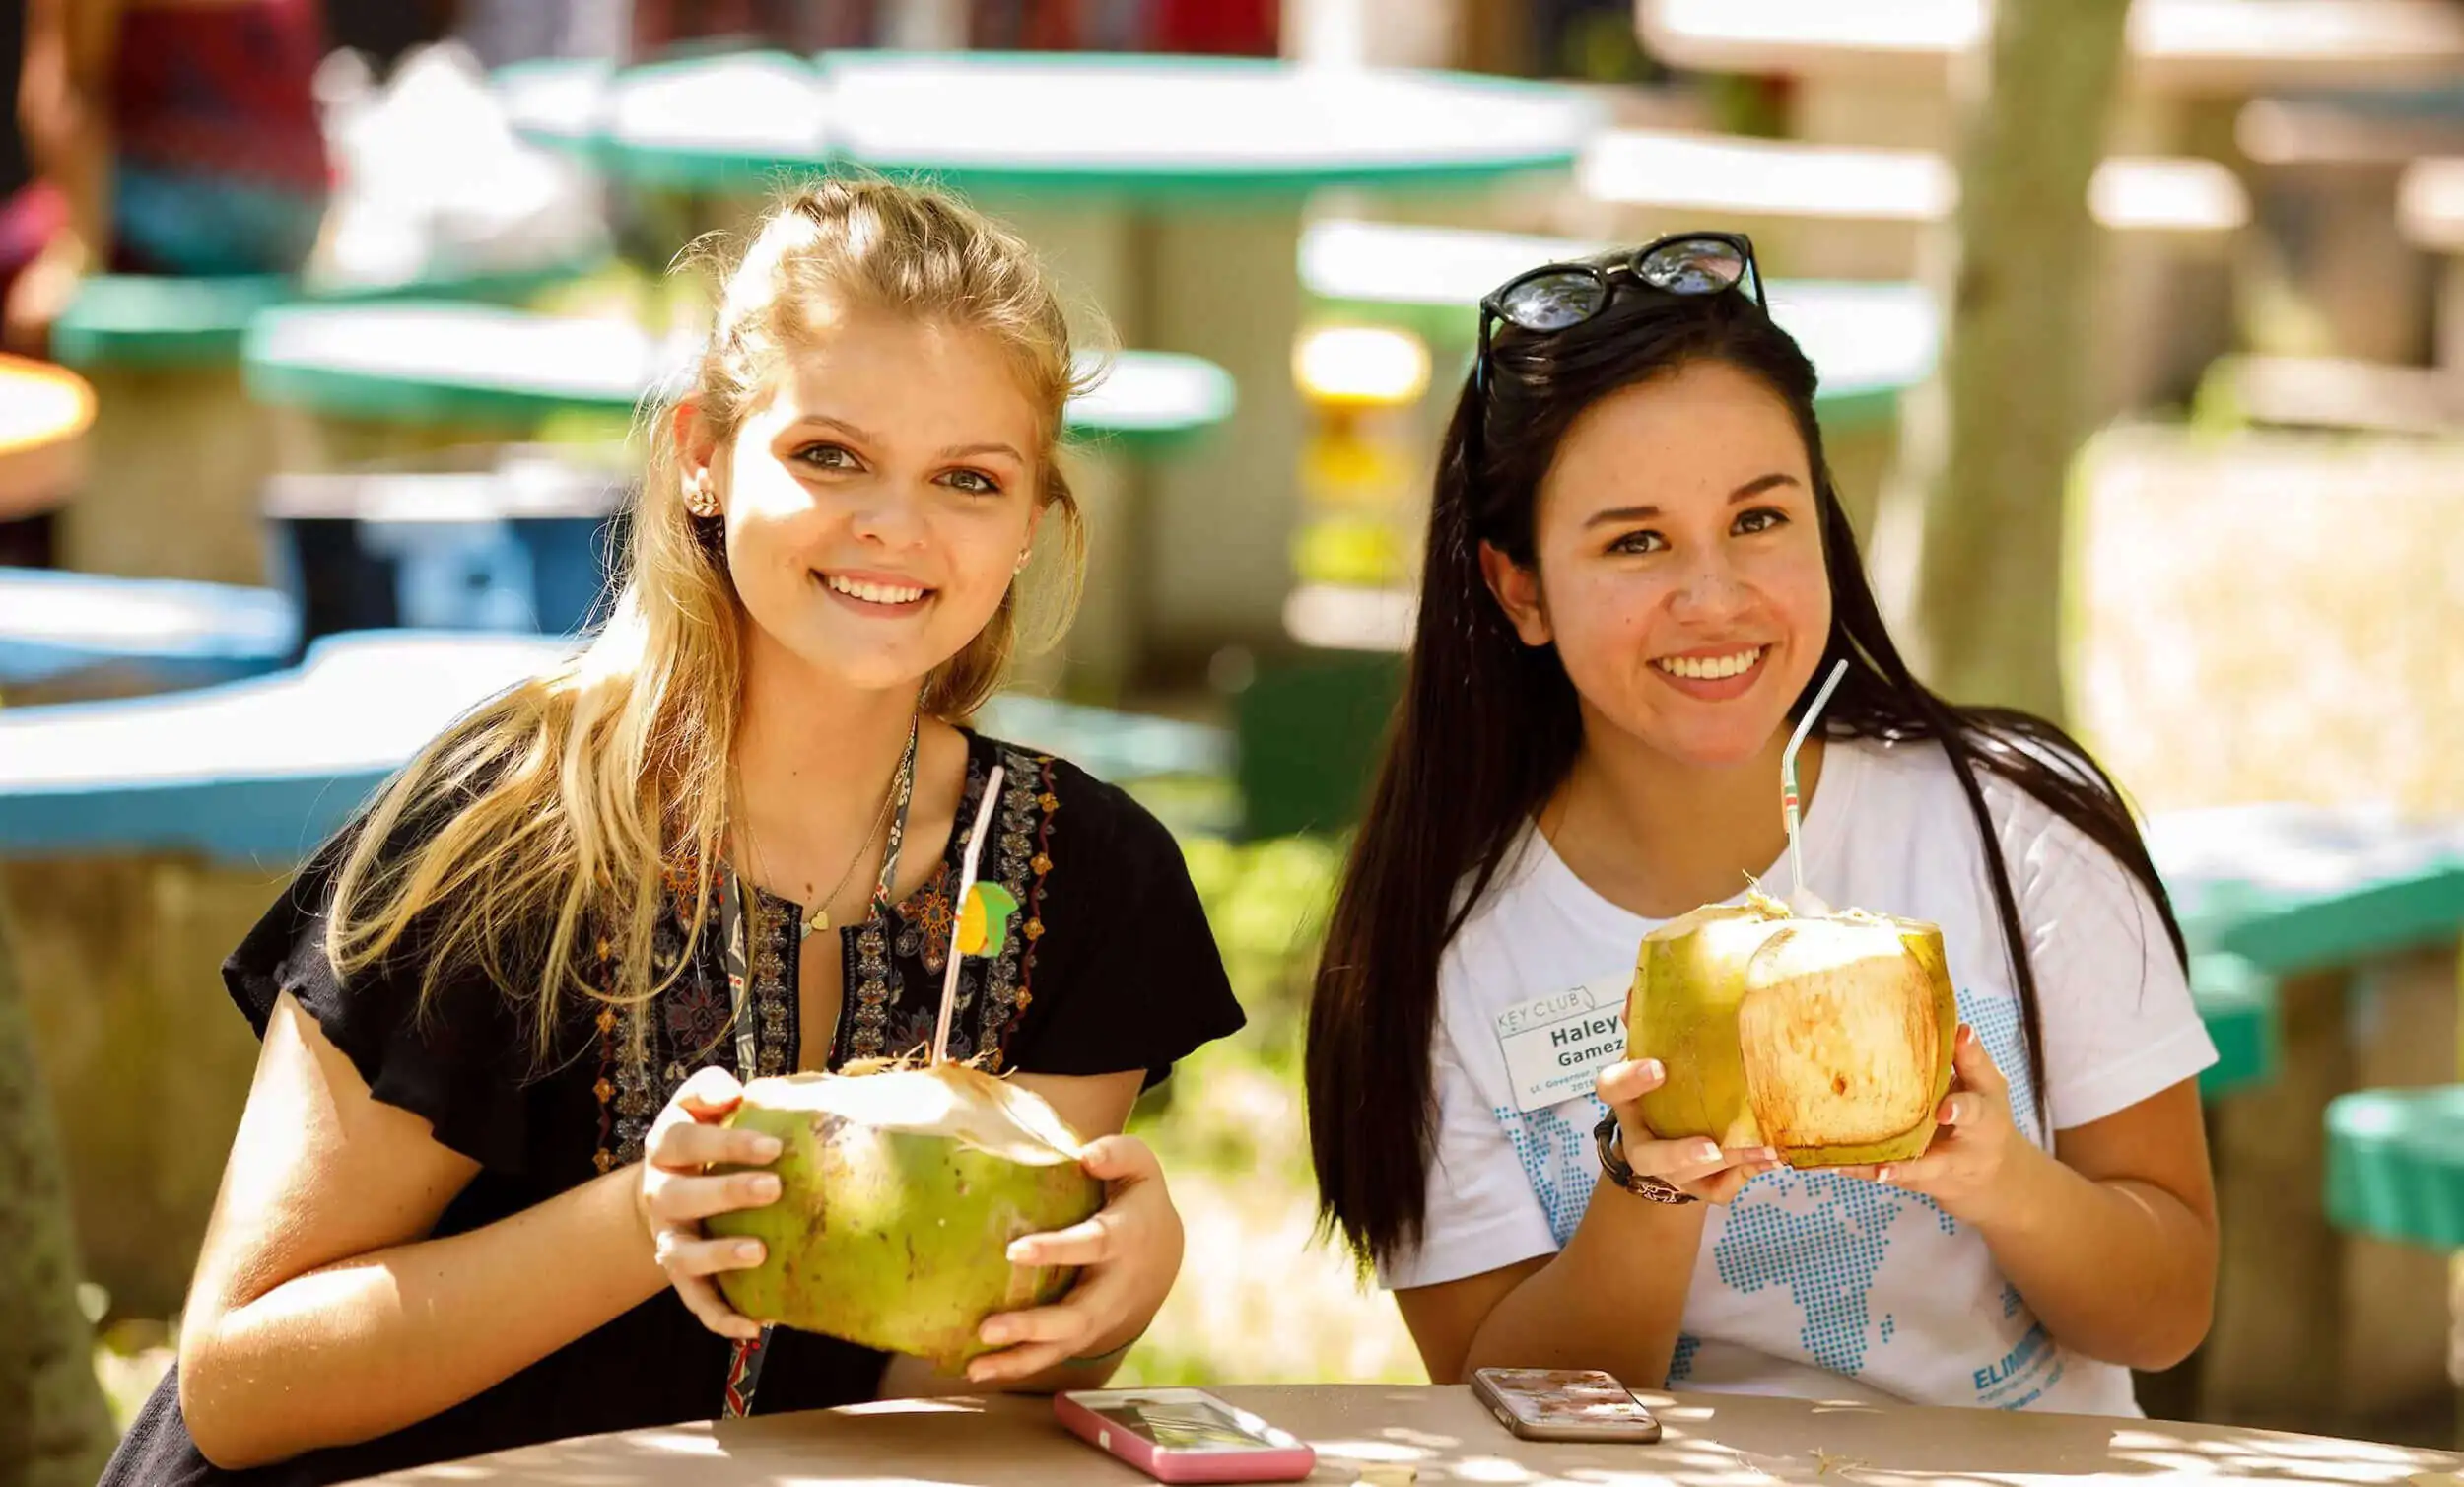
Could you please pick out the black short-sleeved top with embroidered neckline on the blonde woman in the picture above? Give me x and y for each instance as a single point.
(1108, 966)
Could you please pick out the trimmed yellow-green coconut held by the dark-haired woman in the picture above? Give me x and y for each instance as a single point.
(1820, 1035)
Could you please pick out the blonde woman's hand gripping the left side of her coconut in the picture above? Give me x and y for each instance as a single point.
(676, 1195)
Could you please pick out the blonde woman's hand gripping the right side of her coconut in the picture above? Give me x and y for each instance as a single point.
(1127, 1254)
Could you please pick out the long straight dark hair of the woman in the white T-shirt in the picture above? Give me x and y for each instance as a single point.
(1487, 730)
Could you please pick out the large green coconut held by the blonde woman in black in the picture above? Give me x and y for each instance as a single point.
(901, 1195)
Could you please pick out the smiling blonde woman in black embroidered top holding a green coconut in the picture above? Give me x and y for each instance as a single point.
(499, 1033)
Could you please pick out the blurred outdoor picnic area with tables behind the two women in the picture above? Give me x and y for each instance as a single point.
(2142, 346)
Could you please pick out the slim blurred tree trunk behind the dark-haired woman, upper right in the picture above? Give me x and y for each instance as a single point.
(2017, 353)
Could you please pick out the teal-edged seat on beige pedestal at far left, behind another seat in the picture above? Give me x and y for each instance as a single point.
(179, 449)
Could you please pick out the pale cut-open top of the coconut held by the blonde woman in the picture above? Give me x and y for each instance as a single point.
(952, 1102)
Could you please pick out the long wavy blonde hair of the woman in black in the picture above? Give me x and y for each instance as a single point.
(538, 833)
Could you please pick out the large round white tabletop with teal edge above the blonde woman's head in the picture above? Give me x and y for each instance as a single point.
(1053, 122)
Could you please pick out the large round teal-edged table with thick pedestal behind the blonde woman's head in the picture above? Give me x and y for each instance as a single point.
(1167, 191)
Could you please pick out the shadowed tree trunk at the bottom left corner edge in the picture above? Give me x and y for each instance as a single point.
(55, 1429)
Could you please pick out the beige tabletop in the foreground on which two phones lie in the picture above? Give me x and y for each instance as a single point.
(1443, 1434)
